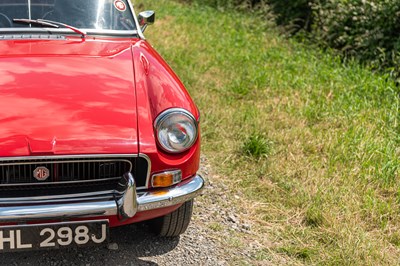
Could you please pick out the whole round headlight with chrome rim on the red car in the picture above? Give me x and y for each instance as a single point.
(176, 130)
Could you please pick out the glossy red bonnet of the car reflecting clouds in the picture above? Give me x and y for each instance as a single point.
(67, 97)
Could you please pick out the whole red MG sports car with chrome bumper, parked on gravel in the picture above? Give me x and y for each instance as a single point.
(96, 130)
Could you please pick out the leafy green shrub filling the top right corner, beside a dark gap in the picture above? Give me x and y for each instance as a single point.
(366, 30)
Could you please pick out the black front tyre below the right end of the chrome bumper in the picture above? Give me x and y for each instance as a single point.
(174, 223)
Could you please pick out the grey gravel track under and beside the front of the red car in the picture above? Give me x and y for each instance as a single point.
(135, 245)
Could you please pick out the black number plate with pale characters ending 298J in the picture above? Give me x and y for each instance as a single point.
(53, 236)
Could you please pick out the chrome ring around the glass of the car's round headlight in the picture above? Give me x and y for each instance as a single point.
(163, 116)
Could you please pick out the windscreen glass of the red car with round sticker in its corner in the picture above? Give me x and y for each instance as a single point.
(83, 14)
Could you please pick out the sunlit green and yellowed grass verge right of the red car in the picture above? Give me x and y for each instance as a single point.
(310, 145)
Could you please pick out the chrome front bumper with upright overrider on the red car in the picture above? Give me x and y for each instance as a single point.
(126, 207)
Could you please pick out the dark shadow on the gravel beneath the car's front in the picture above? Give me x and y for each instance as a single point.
(135, 243)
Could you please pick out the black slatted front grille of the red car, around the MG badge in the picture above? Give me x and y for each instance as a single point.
(69, 175)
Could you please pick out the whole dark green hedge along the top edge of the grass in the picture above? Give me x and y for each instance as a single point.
(365, 30)
